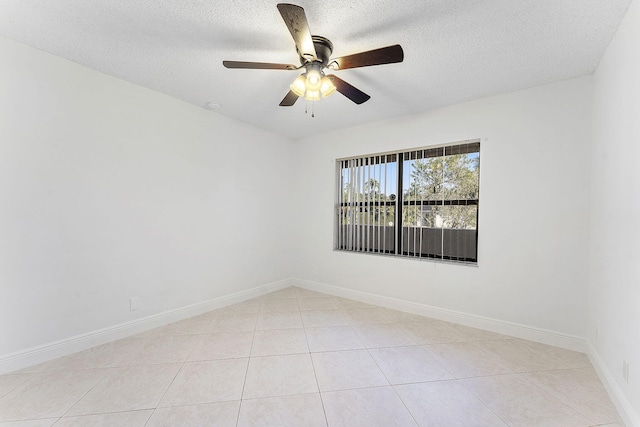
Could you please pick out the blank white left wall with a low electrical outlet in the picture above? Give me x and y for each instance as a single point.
(110, 191)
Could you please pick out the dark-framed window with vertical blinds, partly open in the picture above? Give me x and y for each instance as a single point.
(420, 203)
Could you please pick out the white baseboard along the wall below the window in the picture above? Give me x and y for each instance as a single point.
(530, 333)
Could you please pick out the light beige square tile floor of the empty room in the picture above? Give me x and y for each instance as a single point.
(300, 358)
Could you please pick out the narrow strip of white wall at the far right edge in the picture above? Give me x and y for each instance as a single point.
(614, 285)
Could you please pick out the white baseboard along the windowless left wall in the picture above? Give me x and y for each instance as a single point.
(43, 353)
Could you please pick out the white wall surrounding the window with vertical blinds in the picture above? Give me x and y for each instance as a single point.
(534, 207)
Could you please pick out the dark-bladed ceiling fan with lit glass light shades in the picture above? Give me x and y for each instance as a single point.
(315, 52)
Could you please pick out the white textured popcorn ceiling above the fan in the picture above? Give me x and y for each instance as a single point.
(455, 50)
